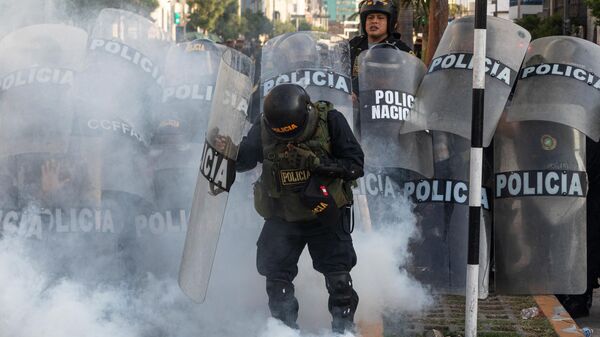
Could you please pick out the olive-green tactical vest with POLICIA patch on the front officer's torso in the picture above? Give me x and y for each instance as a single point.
(285, 174)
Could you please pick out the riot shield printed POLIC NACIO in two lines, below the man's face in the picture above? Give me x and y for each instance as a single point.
(388, 81)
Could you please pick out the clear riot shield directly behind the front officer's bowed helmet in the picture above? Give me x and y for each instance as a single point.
(317, 61)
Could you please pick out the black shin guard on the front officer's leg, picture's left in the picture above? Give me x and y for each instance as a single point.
(282, 302)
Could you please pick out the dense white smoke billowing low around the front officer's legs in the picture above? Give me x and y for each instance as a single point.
(36, 301)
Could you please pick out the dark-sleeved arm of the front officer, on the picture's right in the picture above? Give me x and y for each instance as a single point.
(347, 156)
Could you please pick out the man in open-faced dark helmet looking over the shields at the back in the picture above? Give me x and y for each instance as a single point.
(378, 20)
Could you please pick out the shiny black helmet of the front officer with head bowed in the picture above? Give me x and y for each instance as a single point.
(286, 110)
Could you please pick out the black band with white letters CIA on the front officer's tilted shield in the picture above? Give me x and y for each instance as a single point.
(217, 168)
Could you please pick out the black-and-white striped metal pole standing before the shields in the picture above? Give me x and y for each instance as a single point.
(476, 166)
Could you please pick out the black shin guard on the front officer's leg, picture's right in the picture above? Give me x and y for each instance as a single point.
(343, 301)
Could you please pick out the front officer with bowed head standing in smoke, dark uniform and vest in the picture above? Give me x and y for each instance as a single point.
(310, 159)
